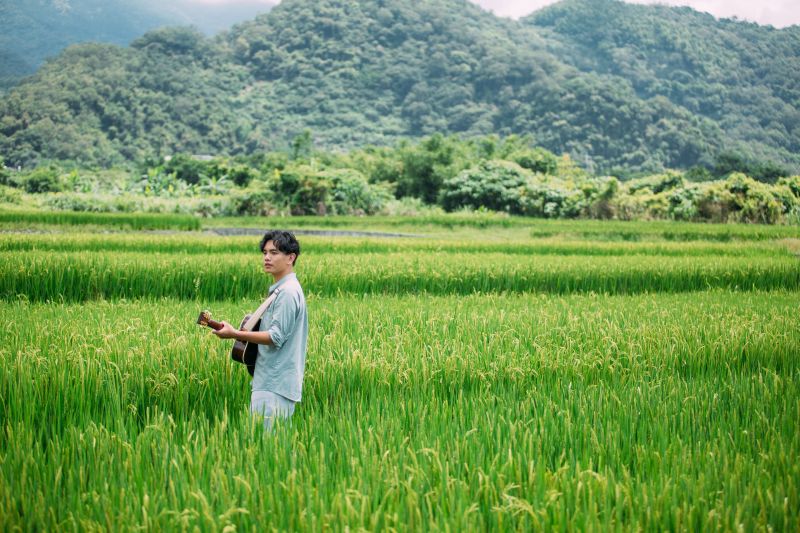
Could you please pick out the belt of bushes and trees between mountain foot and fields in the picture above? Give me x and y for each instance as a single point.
(506, 175)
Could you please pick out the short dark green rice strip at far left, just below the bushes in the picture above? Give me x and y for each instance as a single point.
(138, 221)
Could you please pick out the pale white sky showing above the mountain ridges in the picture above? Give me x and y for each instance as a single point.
(779, 13)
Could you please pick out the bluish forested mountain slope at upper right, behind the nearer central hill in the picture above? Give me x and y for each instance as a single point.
(744, 77)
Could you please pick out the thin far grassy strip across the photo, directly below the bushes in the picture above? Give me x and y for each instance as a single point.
(442, 225)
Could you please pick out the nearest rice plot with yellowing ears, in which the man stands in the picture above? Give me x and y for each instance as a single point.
(485, 412)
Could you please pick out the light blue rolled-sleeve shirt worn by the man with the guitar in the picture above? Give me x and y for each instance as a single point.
(280, 367)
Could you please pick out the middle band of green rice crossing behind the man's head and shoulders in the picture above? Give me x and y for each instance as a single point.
(79, 276)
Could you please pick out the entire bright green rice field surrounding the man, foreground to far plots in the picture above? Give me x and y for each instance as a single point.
(492, 380)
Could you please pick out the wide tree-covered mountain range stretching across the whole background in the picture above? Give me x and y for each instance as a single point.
(618, 86)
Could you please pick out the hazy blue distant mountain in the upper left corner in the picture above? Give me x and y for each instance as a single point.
(34, 30)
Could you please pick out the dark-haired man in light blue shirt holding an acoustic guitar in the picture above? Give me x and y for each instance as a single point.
(282, 336)
